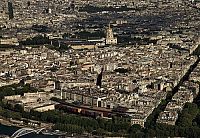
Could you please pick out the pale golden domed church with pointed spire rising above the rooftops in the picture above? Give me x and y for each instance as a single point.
(110, 39)
